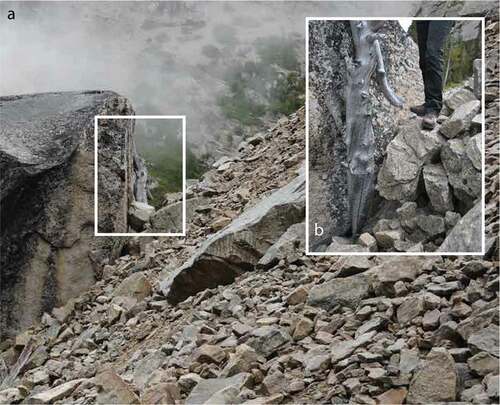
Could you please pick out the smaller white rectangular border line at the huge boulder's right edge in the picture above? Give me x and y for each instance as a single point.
(130, 117)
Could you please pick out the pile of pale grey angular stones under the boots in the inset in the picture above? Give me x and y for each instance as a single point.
(430, 184)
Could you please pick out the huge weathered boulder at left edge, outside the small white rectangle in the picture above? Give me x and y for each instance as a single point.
(47, 194)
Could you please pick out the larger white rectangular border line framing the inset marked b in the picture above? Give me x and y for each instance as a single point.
(483, 79)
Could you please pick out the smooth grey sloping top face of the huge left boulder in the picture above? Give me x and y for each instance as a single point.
(41, 131)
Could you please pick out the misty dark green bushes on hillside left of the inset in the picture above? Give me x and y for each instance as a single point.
(273, 83)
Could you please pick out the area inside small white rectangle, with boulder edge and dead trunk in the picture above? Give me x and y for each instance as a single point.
(140, 175)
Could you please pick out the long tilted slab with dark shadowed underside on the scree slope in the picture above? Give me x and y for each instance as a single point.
(240, 245)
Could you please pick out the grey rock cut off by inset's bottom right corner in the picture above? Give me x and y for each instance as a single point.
(466, 234)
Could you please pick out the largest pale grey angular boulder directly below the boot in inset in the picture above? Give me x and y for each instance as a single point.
(406, 154)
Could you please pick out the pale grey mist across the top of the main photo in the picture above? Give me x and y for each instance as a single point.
(168, 58)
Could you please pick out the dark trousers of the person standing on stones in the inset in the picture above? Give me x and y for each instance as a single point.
(436, 37)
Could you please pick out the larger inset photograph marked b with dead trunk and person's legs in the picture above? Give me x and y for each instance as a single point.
(394, 136)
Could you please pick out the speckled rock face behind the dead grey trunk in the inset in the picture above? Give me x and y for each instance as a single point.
(327, 83)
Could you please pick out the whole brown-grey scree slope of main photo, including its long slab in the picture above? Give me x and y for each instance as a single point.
(296, 328)
